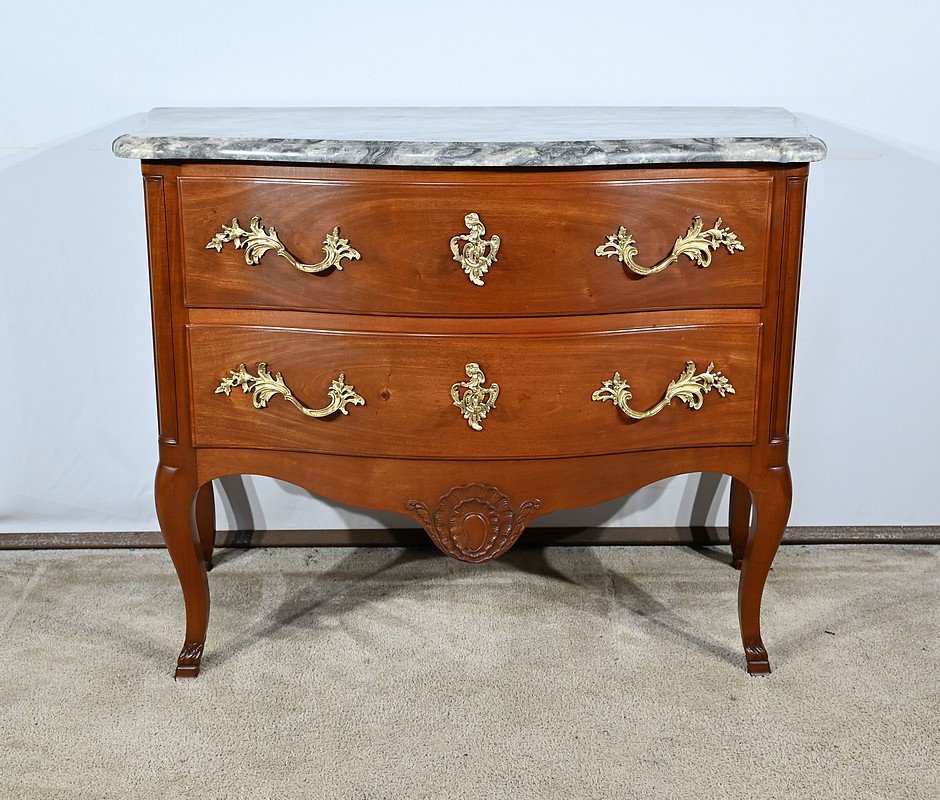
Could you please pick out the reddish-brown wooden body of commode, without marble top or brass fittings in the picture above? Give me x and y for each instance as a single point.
(548, 325)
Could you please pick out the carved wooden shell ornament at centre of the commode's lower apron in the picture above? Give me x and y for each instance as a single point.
(475, 522)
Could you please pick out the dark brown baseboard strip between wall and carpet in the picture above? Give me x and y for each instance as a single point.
(535, 536)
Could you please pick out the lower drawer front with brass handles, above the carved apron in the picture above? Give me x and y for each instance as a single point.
(546, 404)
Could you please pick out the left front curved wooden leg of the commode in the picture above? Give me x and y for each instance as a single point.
(175, 495)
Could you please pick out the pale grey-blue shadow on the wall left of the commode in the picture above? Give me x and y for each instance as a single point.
(79, 429)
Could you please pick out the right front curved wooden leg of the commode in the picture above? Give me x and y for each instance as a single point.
(772, 494)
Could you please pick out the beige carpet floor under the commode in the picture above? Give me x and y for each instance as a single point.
(562, 673)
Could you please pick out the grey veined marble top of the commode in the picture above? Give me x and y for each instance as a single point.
(526, 136)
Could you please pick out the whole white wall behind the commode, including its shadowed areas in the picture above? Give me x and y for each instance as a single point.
(77, 429)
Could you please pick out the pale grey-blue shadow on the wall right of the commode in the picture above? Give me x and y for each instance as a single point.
(864, 425)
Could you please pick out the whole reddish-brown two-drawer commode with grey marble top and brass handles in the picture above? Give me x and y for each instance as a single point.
(473, 316)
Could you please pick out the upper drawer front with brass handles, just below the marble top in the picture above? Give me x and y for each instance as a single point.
(550, 225)
